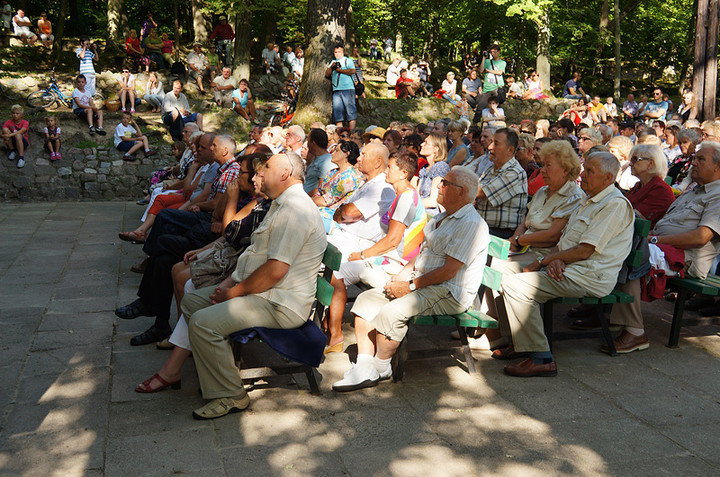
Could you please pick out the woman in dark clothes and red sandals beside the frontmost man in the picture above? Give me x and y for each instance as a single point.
(208, 266)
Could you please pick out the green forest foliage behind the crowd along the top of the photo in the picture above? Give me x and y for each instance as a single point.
(656, 36)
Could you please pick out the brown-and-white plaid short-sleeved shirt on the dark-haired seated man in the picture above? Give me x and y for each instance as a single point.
(506, 192)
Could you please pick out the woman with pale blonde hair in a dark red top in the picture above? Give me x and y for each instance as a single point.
(651, 196)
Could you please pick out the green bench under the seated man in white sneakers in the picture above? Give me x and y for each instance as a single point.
(498, 248)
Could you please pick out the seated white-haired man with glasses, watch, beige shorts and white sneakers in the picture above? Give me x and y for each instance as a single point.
(442, 279)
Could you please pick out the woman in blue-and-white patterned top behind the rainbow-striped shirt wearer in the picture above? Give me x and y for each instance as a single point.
(434, 150)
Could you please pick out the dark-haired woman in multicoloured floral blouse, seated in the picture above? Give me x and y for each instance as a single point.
(339, 183)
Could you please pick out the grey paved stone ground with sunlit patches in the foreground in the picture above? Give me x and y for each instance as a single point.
(68, 373)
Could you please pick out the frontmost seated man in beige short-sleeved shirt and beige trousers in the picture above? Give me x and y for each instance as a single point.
(273, 285)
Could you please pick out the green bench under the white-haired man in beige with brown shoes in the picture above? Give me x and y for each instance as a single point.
(633, 260)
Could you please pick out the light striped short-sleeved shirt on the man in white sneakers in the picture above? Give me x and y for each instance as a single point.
(463, 236)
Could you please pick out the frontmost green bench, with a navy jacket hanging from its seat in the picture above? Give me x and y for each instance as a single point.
(323, 295)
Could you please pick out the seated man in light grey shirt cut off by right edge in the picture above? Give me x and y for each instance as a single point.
(691, 225)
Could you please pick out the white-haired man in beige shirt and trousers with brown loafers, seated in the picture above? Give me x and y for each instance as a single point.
(591, 251)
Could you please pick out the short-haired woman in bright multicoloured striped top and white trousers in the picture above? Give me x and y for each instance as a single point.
(404, 222)
